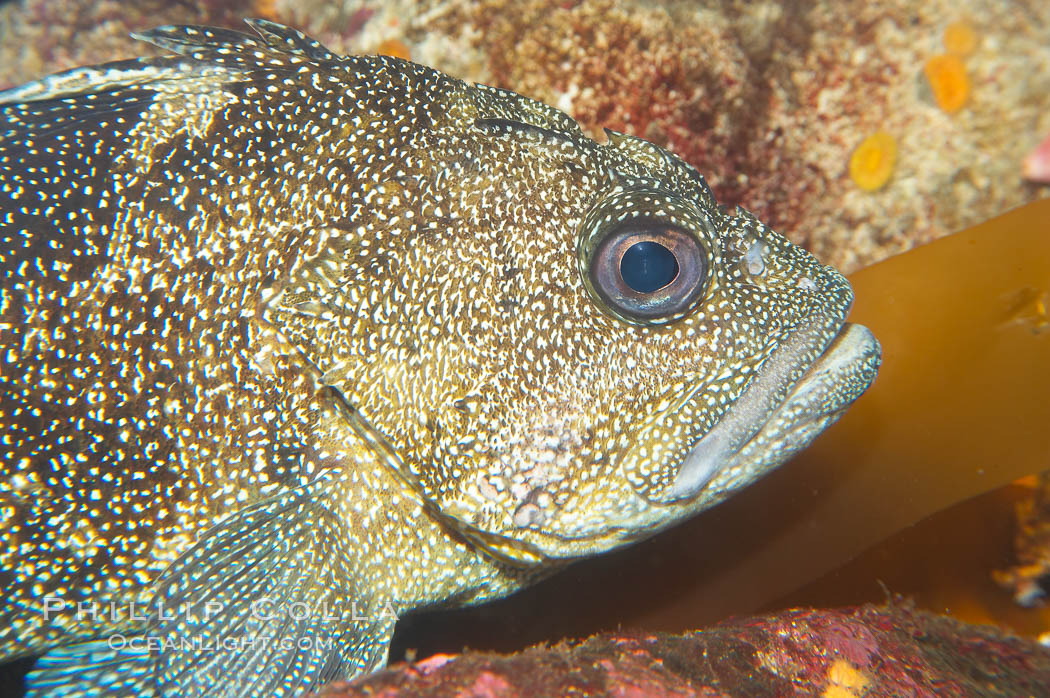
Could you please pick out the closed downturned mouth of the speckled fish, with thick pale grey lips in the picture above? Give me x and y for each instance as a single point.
(804, 387)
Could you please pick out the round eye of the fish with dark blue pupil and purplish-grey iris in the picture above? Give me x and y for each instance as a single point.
(649, 270)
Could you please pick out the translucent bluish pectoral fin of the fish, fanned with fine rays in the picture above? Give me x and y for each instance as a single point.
(262, 606)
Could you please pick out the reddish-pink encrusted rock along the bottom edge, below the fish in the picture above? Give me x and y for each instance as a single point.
(869, 651)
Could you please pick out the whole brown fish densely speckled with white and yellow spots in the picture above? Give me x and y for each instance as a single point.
(293, 344)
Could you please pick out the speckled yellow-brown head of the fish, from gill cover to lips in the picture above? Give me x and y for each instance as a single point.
(570, 346)
